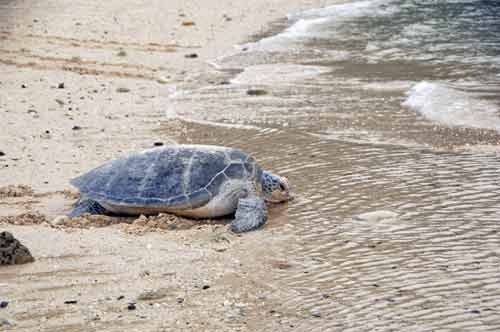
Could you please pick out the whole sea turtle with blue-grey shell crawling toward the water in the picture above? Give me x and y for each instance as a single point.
(198, 181)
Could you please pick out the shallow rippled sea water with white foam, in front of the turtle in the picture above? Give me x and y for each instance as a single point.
(385, 116)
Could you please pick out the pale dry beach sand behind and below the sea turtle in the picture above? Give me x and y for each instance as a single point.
(82, 82)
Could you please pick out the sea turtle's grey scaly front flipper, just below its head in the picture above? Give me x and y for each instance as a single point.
(250, 214)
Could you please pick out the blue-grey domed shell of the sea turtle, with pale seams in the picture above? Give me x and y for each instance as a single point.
(177, 176)
